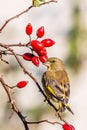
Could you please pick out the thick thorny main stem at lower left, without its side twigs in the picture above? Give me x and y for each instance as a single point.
(13, 104)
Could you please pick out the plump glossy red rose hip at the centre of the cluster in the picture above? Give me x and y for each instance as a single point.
(37, 45)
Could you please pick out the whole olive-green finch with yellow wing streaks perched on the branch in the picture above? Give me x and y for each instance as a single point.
(56, 83)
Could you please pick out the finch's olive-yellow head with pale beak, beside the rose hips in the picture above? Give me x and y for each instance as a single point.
(54, 63)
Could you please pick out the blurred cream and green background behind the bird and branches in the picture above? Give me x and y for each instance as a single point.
(66, 23)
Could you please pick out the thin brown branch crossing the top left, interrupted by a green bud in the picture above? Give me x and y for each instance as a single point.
(23, 12)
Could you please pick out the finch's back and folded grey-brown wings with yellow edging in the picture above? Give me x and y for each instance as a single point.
(57, 84)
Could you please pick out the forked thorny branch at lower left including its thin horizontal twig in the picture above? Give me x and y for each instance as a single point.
(15, 108)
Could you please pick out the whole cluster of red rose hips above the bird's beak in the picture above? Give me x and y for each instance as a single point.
(38, 48)
